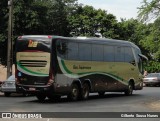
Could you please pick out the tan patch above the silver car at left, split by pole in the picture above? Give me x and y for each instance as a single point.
(3, 72)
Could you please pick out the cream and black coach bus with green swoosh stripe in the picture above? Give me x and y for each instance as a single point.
(54, 66)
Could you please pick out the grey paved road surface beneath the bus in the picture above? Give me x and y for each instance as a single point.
(146, 100)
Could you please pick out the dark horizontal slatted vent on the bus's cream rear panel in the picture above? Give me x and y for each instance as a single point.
(33, 63)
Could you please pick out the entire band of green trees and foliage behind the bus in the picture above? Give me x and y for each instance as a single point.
(62, 17)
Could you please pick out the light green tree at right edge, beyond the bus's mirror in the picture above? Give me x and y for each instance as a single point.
(151, 42)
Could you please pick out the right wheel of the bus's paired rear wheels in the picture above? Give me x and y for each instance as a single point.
(85, 91)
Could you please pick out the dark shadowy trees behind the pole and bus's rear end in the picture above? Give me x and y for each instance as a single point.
(34, 17)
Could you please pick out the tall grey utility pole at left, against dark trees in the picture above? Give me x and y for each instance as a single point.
(9, 69)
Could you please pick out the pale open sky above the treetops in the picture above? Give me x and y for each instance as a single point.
(119, 8)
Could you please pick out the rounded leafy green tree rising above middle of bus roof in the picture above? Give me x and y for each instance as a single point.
(86, 21)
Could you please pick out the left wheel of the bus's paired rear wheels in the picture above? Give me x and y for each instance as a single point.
(74, 95)
